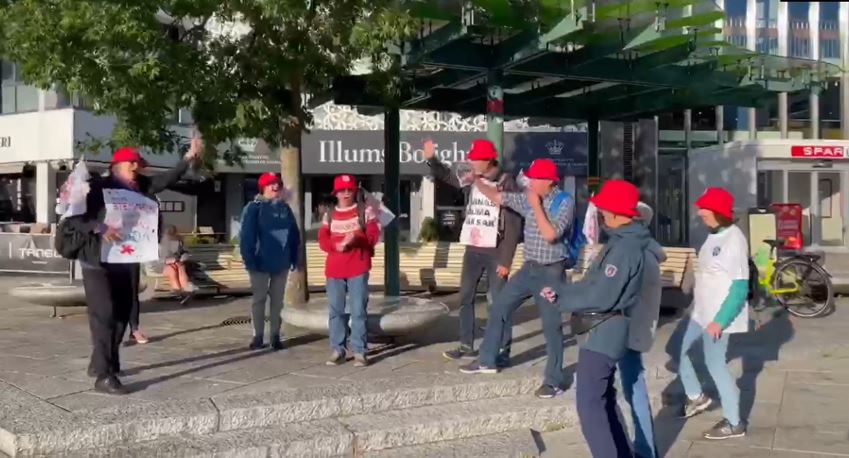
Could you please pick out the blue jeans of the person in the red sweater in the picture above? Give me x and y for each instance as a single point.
(356, 291)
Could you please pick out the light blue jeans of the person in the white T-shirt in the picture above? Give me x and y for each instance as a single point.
(717, 366)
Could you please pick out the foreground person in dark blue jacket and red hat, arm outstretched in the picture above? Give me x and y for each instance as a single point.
(601, 304)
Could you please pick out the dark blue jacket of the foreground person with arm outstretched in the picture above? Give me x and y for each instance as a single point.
(613, 282)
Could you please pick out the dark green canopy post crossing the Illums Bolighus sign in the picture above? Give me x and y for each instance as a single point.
(392, 172)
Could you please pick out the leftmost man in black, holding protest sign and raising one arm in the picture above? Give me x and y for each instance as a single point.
(119, 230)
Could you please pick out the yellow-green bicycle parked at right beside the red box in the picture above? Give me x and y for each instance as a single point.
(783, 282)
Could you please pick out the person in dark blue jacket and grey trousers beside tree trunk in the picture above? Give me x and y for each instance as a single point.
(269, 242)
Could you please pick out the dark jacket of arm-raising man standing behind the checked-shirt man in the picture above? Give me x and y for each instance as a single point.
(510, 222)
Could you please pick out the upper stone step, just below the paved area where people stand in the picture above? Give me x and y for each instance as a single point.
(55, 430)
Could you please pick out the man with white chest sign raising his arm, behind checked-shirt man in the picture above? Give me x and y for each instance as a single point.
(490, 234)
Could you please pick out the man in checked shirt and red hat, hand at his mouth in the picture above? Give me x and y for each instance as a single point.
(548, 217)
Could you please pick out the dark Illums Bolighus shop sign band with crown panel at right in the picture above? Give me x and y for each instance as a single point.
(362, 152)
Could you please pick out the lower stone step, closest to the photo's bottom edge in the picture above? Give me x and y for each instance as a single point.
(469, 429)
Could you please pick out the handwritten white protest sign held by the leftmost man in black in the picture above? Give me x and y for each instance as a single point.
(137, 219)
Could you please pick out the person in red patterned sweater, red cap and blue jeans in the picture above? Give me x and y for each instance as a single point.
(348, 235)
